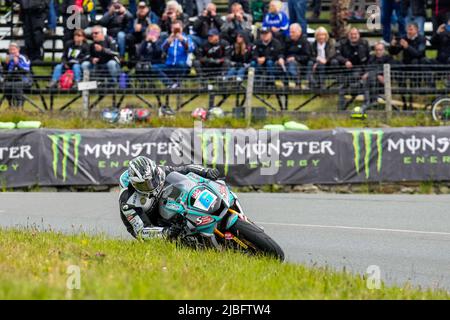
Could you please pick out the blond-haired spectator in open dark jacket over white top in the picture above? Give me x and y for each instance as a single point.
(323, 55)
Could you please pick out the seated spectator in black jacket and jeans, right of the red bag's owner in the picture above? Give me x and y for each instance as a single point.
(103, 55)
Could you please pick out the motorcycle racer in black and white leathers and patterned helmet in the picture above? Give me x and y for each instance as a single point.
(141, 187)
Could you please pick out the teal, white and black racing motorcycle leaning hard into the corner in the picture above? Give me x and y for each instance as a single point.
(210, 215)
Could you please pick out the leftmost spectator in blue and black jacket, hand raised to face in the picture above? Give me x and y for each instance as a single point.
(17, 76)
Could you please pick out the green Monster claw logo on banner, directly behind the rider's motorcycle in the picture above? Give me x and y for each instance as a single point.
(216, 149)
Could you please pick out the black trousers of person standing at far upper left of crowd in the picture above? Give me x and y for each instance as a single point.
(33, 32)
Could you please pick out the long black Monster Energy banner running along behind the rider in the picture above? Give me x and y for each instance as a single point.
(244, 157)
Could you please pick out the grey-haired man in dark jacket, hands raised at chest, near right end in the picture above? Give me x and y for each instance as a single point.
(412, 46)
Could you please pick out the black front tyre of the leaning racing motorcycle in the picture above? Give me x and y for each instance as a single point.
(256, 239)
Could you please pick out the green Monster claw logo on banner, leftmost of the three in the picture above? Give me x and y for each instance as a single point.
(63, 152)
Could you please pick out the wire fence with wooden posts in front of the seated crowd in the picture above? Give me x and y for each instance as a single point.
(385, 87)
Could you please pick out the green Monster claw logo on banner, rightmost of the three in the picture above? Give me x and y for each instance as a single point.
(368, 136)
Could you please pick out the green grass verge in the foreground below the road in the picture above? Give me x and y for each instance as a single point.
(33, 265)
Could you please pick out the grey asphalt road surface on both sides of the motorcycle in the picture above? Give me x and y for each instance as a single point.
(406, 236)
